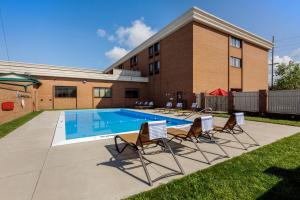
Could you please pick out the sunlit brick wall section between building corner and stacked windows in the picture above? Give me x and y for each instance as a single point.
(210, 59)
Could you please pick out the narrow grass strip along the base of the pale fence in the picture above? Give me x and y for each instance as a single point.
(266, 119)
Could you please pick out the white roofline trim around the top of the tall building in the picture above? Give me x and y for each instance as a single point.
(198, 15)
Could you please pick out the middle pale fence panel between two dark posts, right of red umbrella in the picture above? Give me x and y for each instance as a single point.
(246, 101)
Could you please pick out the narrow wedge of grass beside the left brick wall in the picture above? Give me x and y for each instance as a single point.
(6, 128)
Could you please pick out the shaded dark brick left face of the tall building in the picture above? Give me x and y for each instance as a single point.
(176, 62)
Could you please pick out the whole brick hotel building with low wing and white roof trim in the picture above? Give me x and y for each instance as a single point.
(197, 52)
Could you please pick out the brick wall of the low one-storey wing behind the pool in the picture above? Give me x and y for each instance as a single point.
(47, 100)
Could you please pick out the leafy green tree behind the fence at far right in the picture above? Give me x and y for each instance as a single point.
(287, 76)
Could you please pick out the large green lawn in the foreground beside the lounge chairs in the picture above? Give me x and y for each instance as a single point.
(270, 172)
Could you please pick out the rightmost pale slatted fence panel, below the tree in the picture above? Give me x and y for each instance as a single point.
(284, 101)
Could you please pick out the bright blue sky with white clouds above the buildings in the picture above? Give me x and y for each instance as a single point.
(94, 33)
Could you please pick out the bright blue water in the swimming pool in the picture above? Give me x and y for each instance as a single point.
(87, 123)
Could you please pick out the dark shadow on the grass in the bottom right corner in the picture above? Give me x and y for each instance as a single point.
(287, 188)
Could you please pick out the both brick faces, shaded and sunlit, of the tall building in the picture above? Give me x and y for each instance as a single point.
(195, 59)
